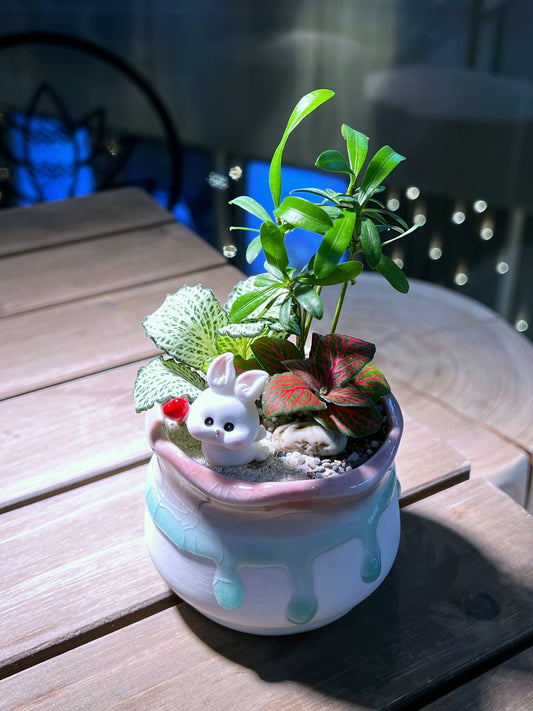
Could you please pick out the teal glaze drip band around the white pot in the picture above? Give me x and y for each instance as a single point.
(193, 533)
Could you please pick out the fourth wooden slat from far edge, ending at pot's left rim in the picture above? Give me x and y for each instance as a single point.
(87, 428)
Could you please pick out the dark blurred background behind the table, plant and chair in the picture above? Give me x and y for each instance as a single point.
(447, 83)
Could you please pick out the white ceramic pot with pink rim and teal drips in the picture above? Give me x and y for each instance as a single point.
(275, 557)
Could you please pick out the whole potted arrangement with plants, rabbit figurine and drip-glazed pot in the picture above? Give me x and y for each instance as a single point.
(272, 500)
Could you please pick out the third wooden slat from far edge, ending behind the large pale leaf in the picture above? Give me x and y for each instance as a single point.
(46, 347)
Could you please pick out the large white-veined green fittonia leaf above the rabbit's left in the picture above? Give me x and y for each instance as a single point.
(185, 325)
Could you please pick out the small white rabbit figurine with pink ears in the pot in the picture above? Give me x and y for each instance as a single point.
(224, 416)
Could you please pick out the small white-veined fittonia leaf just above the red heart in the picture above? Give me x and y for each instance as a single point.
(162, 380)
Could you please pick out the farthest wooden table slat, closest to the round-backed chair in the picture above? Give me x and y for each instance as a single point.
(63, 221)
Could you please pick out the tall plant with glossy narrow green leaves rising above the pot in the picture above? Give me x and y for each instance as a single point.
(352, 225)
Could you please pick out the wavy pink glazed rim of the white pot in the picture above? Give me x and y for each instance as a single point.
(231, 491)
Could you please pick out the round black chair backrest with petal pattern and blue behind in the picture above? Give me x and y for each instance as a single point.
(75, 118)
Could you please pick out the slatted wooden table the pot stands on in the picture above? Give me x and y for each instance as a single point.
(85, 620)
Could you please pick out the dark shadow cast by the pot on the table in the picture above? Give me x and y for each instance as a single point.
(445, 612)
